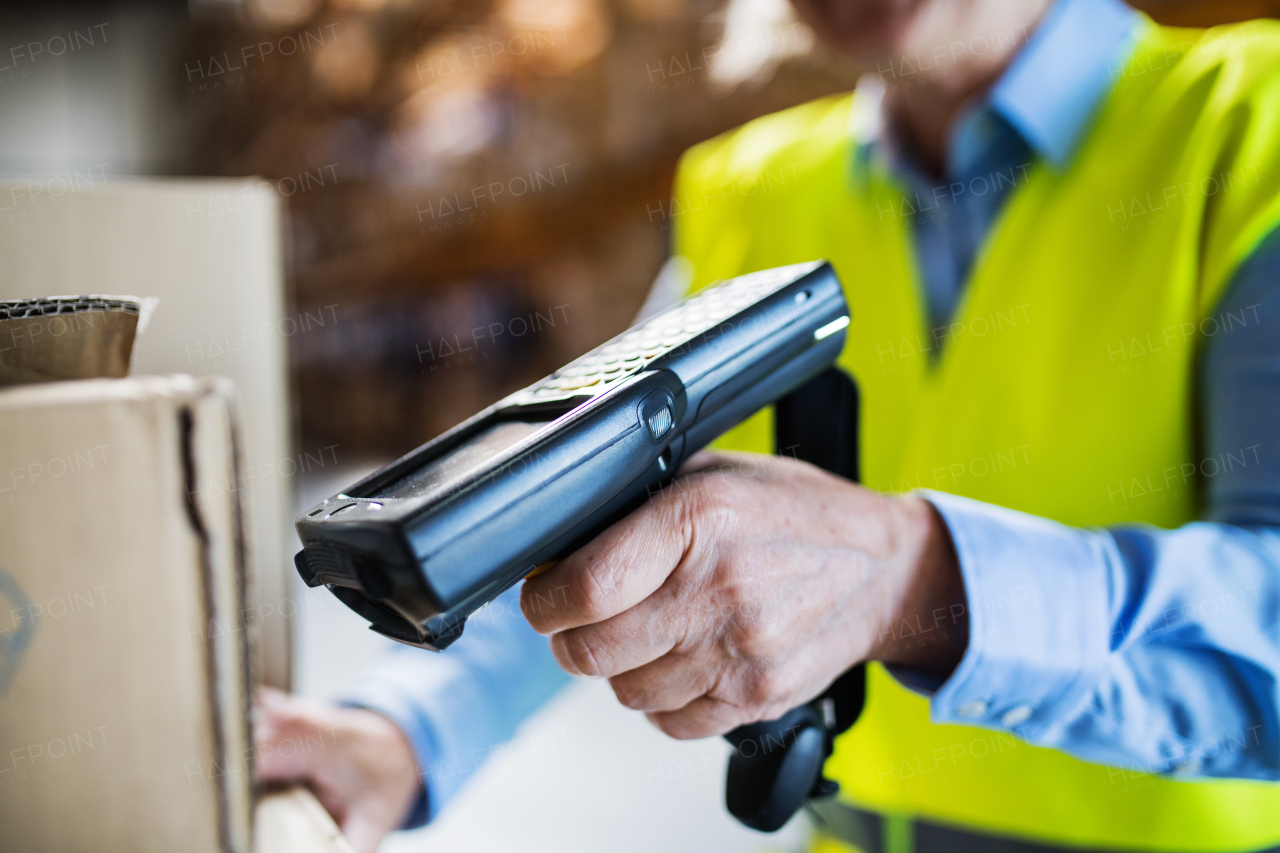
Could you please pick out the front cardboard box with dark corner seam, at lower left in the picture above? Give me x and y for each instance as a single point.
(125, 656)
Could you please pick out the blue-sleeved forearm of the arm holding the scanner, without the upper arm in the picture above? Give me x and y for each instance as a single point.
(1144, 649)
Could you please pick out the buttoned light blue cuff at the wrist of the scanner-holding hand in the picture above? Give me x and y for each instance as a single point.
(1039, 619)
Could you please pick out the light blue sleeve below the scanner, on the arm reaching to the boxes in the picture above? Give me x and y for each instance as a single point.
(459, 706)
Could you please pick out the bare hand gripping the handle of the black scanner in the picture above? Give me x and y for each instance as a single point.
(743, 591)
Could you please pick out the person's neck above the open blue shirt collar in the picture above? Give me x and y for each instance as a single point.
(922, 116)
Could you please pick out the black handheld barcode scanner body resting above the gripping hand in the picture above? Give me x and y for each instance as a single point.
(423, 544)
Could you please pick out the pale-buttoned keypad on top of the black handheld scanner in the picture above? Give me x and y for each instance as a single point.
(636, 349)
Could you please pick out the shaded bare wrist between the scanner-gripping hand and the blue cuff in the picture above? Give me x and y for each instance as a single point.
(926, 624)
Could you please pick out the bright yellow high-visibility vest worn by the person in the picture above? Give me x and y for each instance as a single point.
(1063, 387)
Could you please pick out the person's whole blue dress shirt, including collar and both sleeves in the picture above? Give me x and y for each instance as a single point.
(1150, 650)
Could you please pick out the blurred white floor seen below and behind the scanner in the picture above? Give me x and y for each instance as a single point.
(582, 776)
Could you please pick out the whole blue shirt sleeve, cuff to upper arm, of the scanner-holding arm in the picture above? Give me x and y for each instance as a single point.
(1141, 647)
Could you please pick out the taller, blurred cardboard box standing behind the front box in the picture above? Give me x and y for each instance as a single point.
(212, 252)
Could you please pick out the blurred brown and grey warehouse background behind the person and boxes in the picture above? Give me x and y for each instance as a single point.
(478, 190)
